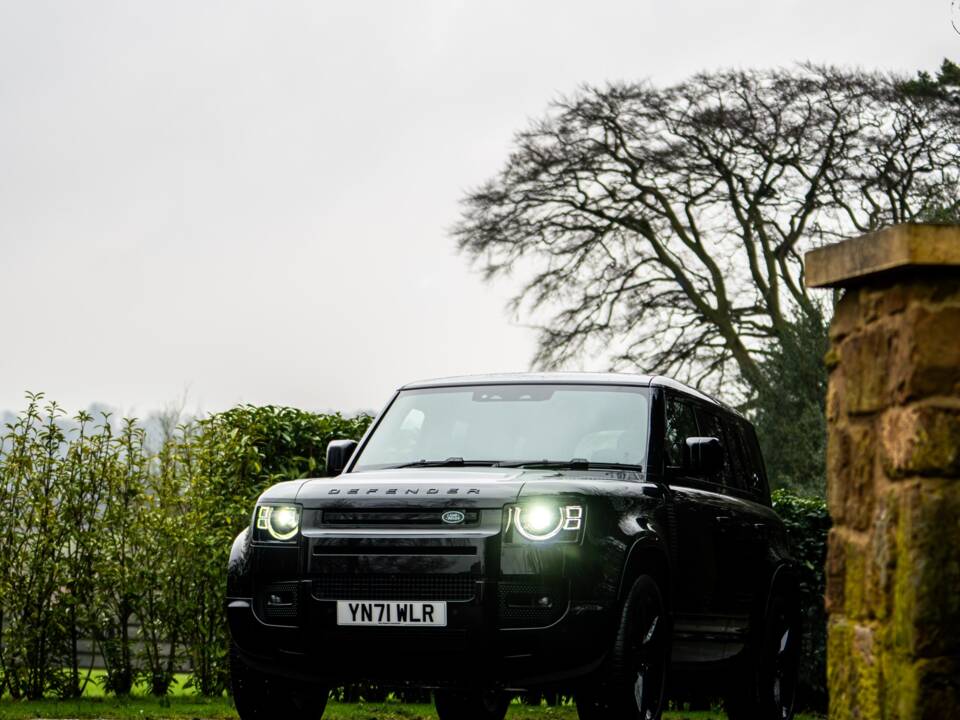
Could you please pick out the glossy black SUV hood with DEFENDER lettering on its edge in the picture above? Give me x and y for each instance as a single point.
(456, 487)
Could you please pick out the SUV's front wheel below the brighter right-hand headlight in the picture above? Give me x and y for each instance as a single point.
(637, 673)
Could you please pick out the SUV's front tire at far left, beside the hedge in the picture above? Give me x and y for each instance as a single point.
(259, 696)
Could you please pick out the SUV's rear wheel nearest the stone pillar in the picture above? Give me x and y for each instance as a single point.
(767, 687)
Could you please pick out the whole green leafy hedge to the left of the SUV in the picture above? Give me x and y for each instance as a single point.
(100, 533)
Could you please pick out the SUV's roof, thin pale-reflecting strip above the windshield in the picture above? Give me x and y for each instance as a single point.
(565, 378)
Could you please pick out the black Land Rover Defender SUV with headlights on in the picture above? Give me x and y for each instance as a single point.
(587, 533)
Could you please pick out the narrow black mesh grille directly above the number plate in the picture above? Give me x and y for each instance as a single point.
(395, 587)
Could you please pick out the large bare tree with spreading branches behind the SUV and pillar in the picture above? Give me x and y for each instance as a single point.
(663, 228)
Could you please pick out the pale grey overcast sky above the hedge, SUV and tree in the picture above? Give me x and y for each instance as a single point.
(250, 201)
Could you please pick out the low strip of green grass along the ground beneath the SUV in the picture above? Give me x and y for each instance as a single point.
(197, 708)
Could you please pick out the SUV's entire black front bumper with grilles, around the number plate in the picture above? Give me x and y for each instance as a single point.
(517, 617)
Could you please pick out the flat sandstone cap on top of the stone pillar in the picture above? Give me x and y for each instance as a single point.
(891, 250)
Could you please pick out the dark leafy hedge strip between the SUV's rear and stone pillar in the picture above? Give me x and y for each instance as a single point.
(808, 522)
